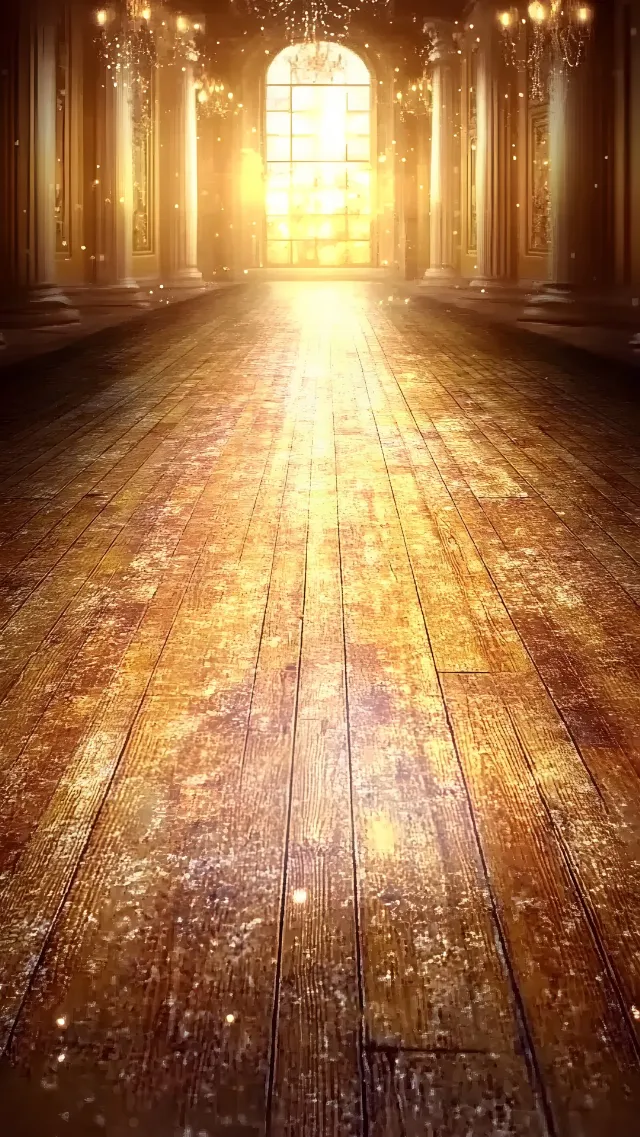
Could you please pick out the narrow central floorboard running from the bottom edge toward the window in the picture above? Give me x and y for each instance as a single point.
(318, 1061)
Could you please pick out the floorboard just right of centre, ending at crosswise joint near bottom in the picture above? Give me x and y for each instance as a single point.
(433, 976)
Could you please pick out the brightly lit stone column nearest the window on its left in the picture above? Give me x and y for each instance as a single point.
(179, 184)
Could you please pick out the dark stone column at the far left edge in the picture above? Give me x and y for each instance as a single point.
(31, 297)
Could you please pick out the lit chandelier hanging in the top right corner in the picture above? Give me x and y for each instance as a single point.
(556, 32)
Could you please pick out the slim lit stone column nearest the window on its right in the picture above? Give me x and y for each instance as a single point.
(443, 156)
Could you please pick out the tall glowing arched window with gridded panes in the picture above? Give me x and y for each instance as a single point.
(319, 147)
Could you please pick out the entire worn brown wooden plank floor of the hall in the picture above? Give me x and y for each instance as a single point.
(320, 735)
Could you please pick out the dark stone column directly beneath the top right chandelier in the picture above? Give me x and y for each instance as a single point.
(571, 185)
